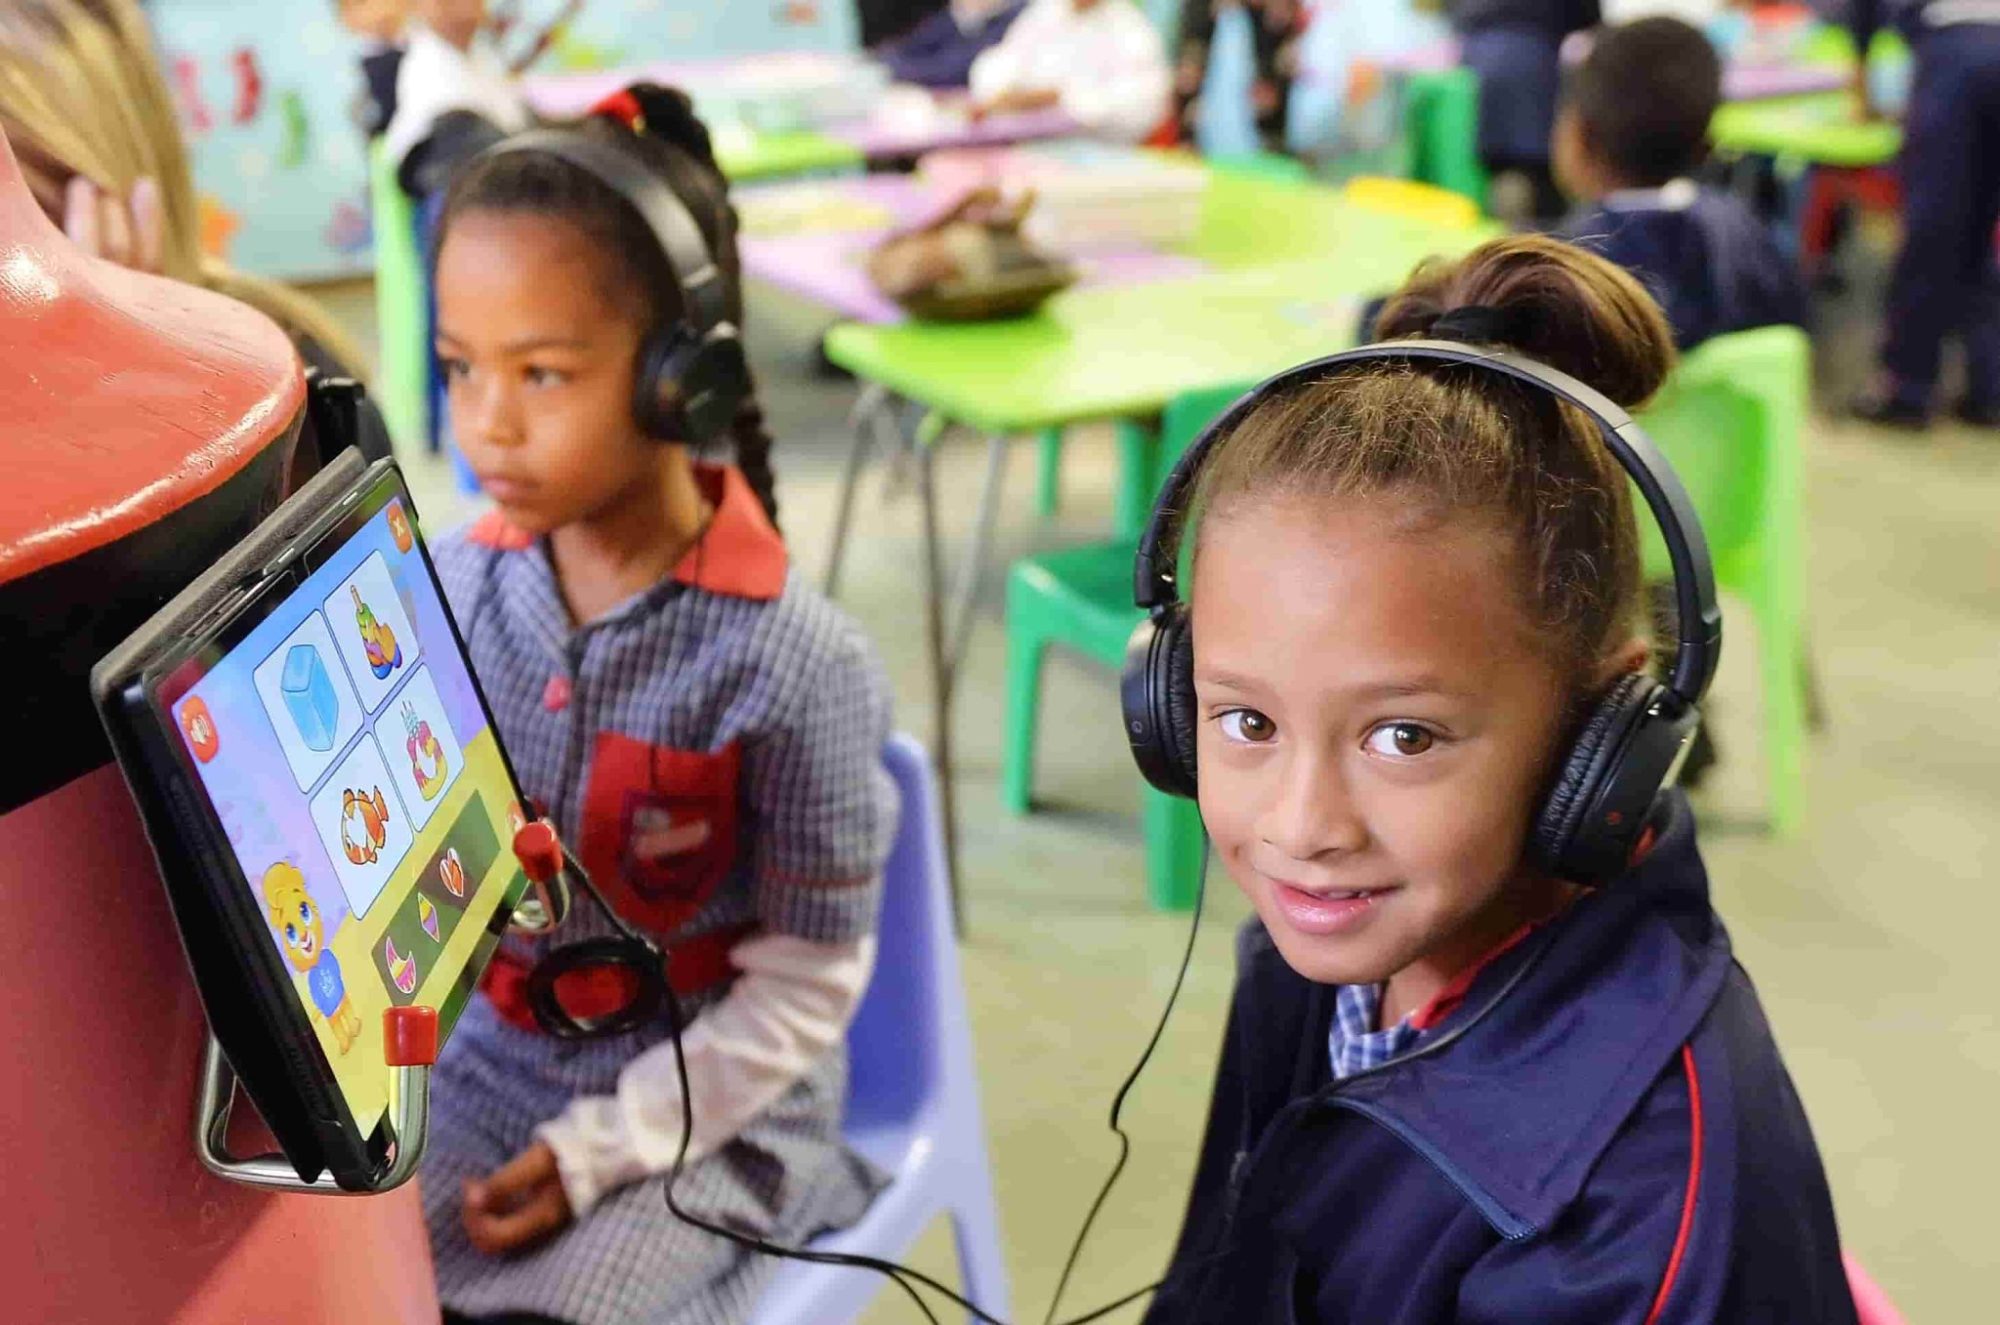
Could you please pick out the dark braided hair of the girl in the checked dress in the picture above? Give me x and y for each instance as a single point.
(673, 143)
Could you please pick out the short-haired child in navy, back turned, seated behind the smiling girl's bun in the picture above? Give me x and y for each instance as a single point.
(1629, 139)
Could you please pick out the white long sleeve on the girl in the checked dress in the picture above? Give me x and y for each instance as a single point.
(791, 1006)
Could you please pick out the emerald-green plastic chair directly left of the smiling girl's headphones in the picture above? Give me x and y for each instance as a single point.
(1083, 597)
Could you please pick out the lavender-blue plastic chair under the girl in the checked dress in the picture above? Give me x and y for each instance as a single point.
(913, 1100)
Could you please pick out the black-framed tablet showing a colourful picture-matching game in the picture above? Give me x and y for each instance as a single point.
(329, 802)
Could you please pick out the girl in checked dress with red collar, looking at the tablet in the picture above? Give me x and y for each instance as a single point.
(699, 724)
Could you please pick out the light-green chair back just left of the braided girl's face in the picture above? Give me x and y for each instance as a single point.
(403, 377)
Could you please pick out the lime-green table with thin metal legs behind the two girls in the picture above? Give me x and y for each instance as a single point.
(1125, 353)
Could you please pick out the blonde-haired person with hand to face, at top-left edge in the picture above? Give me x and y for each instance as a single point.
(97, 135)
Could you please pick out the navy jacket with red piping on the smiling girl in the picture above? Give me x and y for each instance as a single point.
(1617, 1128)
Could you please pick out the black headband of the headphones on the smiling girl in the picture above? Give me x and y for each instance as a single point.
(1695, 583)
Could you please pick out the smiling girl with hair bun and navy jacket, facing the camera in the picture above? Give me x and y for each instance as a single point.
(1465, 1078)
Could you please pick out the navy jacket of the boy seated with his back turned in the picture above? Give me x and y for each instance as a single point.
(1709, 261)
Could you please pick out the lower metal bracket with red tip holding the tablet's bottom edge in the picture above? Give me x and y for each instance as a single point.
(411, 1046)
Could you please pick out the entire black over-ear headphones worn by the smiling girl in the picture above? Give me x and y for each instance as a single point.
(1631, 744)
